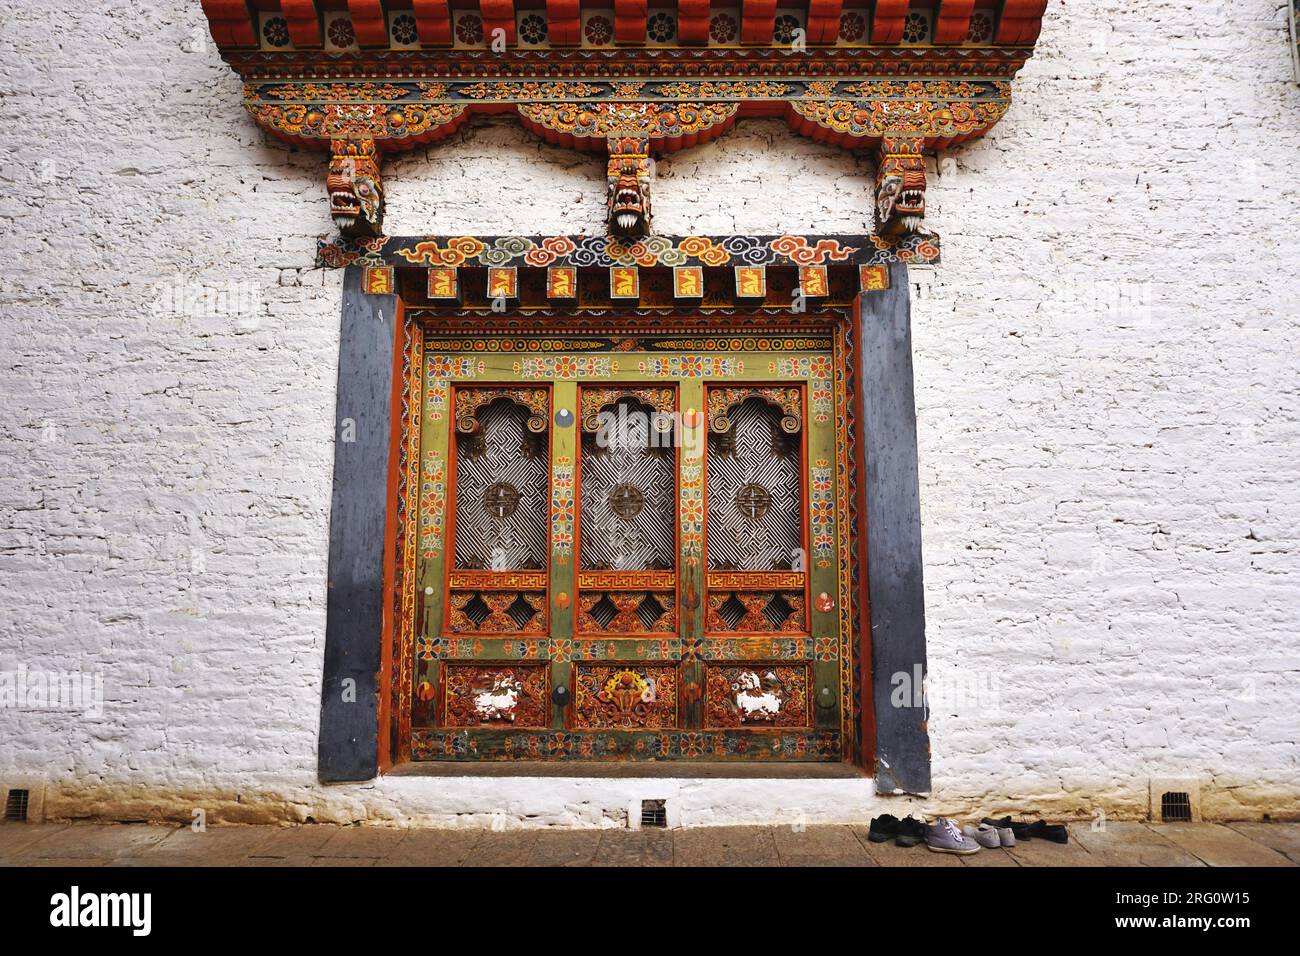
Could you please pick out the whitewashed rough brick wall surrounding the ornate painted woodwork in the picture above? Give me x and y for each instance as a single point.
(1106, 383)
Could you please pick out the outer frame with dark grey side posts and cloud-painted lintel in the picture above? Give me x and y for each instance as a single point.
(366, 691)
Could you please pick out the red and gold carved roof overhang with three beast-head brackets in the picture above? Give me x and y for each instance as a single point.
(626, 77)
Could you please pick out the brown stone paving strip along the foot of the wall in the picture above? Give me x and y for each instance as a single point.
(137, 845)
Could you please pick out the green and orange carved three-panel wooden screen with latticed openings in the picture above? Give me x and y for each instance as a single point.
(632, 553)
